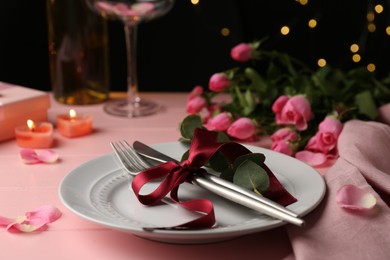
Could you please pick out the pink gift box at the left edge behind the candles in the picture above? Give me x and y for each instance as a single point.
(17, 104)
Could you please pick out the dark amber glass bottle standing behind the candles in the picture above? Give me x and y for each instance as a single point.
(78, 51)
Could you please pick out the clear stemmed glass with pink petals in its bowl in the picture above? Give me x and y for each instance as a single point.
(131, 13)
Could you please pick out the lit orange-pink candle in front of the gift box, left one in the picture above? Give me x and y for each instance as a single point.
(34, 135)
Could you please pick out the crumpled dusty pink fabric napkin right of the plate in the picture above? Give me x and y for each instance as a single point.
(336, 233)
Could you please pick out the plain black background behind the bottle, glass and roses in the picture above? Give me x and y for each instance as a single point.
(185, 47)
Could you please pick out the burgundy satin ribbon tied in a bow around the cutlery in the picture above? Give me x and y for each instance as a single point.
(204, 145)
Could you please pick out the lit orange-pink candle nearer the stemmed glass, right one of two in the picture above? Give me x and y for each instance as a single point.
(72, 125)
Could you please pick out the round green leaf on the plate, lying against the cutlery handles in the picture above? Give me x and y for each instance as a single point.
(251, 176)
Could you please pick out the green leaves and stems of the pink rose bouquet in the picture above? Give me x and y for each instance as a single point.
(256, 84)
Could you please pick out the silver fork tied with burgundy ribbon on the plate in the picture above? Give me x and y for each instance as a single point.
(134, 164)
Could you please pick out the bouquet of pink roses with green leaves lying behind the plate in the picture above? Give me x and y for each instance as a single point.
(273, 94)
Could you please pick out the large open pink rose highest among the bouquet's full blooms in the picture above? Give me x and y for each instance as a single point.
(292, 111)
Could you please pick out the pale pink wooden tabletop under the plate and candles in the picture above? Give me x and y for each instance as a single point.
(26, 187)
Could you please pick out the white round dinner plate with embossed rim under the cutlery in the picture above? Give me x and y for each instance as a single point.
(99, 191)
